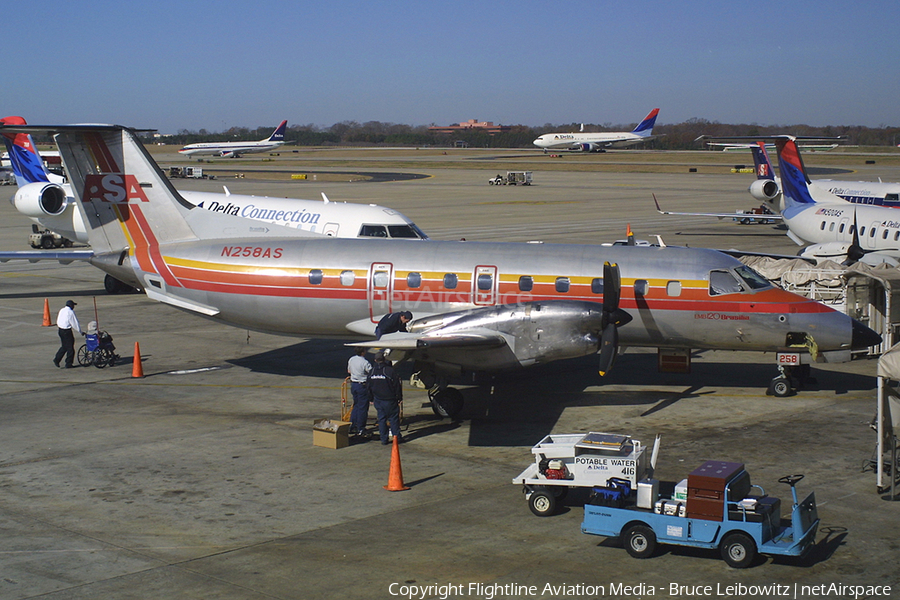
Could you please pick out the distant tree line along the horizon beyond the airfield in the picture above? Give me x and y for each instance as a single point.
(680, 136)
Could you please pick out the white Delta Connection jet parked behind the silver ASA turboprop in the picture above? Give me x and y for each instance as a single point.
(47, 200)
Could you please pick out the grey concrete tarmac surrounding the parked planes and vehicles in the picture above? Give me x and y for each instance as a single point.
(200, 480)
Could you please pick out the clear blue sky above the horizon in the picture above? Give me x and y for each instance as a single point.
(172, 65)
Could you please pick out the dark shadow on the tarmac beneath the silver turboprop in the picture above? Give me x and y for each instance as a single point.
(521, 407)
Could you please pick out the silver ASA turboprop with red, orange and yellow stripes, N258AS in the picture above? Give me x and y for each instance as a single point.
(478, 306)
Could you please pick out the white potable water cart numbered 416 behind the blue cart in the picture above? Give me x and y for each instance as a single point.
(589, 460)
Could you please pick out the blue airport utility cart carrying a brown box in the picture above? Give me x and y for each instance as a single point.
(717, 512)
